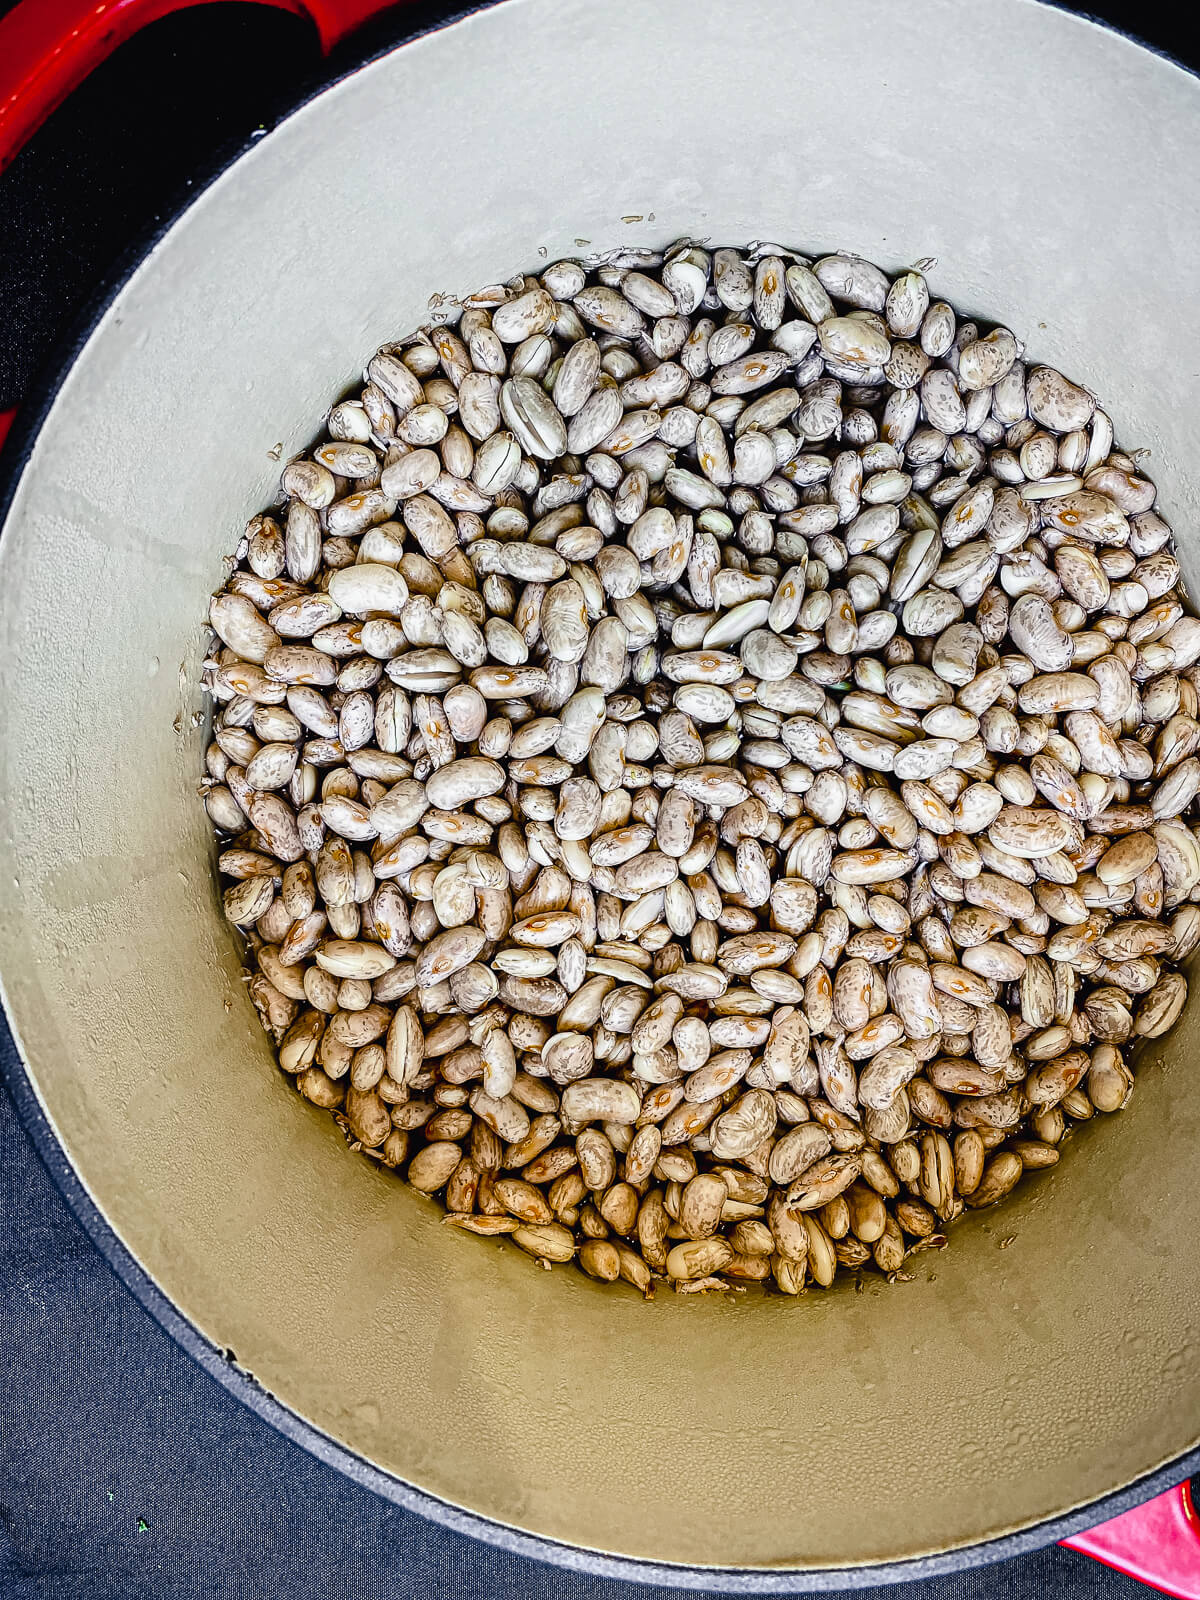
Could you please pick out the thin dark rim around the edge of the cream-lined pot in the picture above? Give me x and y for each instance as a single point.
(377, 39)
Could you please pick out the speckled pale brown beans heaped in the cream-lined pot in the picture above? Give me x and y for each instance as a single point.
(706, 766)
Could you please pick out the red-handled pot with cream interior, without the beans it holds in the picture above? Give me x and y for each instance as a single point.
(1001, 1399)
